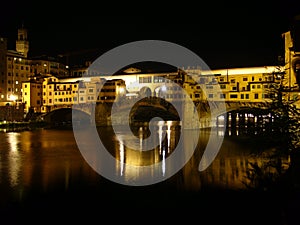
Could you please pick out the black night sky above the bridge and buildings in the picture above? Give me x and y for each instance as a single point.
(224, 35)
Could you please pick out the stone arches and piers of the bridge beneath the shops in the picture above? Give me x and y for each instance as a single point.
(194, 114)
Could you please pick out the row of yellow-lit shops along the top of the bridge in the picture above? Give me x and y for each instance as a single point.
(43, 93)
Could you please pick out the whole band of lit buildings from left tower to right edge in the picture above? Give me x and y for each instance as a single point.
(43, 83)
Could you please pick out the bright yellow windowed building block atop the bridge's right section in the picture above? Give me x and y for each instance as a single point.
(237, 84)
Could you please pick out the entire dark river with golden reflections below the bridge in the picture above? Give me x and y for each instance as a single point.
(43, 172)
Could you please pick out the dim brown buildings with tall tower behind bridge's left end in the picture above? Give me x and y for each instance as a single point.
(16, 67)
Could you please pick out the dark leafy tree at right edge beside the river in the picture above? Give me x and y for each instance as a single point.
(284, 132)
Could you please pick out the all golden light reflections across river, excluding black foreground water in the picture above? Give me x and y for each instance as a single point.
(47, 160)
